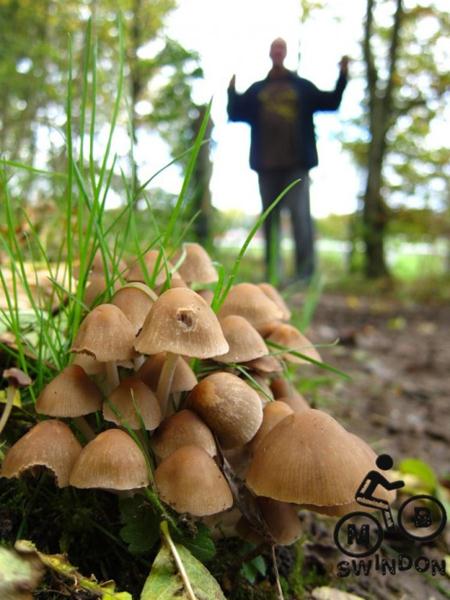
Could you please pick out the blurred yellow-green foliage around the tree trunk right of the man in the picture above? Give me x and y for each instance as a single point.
(415, 163)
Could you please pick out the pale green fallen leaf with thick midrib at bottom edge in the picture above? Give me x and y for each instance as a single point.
(165, 583)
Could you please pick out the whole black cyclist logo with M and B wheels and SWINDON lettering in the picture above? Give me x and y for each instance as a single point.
(360, 534)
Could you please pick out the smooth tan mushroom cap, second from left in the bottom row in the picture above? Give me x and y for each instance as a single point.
(110, 461)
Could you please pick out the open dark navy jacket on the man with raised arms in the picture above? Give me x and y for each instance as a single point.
(247, 107)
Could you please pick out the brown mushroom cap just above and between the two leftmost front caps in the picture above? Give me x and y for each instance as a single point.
(69, 394)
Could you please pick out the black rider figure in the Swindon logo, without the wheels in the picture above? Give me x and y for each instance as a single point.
(365, 493)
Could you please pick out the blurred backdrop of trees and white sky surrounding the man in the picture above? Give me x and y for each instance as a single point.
(392, 128)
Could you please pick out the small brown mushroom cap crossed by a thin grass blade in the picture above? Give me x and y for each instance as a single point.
(146, 402)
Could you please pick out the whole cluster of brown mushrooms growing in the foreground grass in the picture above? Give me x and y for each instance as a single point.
(233, 425)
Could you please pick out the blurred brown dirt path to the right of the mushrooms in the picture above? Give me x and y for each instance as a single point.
(399, 361)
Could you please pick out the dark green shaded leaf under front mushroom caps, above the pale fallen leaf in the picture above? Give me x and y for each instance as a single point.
(141, 524)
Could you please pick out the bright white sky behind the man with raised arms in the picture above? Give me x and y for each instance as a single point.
(234, 37)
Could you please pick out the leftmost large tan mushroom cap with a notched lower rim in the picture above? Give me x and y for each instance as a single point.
(49, 444)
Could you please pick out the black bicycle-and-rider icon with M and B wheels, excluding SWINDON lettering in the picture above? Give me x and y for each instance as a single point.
(420, 518)
